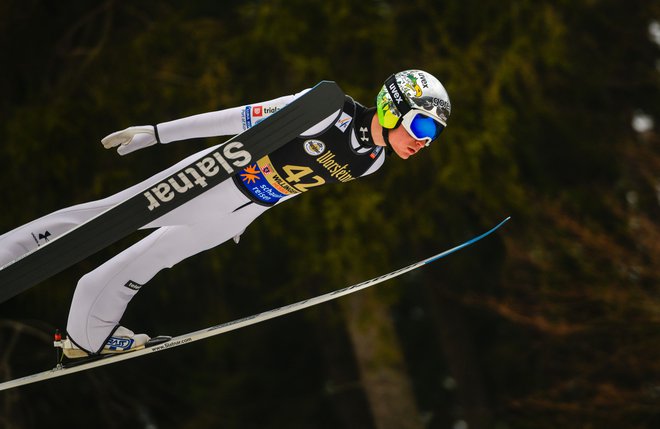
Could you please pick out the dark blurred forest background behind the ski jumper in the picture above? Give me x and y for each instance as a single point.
(554, 322)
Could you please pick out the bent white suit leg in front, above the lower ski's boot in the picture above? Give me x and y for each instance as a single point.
(102, 295)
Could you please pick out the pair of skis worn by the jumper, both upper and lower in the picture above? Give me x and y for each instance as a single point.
(165, 194)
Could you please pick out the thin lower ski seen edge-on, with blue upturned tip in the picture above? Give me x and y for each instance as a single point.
(82, 365)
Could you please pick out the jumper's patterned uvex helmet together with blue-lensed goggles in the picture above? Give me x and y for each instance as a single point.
(416, 100)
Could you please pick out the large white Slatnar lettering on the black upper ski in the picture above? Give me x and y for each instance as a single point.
(227, 157)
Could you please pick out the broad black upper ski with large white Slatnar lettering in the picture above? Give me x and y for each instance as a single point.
(212, 167)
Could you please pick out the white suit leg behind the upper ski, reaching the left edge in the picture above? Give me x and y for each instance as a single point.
(28, 237)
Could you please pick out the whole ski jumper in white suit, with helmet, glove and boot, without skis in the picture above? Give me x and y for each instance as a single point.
(411, 110)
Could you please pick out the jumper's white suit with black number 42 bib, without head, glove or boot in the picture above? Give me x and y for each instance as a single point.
(337, 149)
